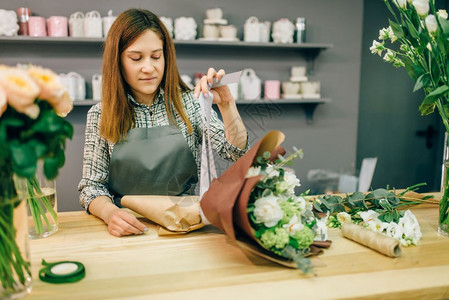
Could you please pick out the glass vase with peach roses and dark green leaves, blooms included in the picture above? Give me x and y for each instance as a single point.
(32, 128)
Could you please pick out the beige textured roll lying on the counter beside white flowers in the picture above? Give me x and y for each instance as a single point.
(371, 239)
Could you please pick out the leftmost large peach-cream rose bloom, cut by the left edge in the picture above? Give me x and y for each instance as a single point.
(21, 90)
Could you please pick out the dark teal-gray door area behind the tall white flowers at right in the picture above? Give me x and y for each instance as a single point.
(389, 118)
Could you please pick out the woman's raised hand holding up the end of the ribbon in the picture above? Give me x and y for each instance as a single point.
(222, 94)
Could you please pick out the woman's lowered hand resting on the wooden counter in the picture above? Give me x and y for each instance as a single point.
(121, 223)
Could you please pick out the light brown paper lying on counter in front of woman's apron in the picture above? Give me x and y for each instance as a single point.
(176, 214)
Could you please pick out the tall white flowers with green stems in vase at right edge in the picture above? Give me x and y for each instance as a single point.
(422, 33)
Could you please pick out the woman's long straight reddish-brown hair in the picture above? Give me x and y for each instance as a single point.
(117, 116)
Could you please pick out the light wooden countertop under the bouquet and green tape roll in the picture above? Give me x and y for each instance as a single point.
(206, 265)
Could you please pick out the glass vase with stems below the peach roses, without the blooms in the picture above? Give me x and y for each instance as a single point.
(15, 270)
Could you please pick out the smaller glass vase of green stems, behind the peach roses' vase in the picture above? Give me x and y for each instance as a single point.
(42, 205)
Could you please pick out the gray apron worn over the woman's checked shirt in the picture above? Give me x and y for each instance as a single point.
(152, 161)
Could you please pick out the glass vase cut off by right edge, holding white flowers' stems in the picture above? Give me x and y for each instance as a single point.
(443, 217)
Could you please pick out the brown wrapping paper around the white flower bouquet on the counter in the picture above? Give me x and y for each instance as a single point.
(226, 201)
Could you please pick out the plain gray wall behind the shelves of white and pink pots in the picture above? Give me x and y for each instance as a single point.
(330, 143)
